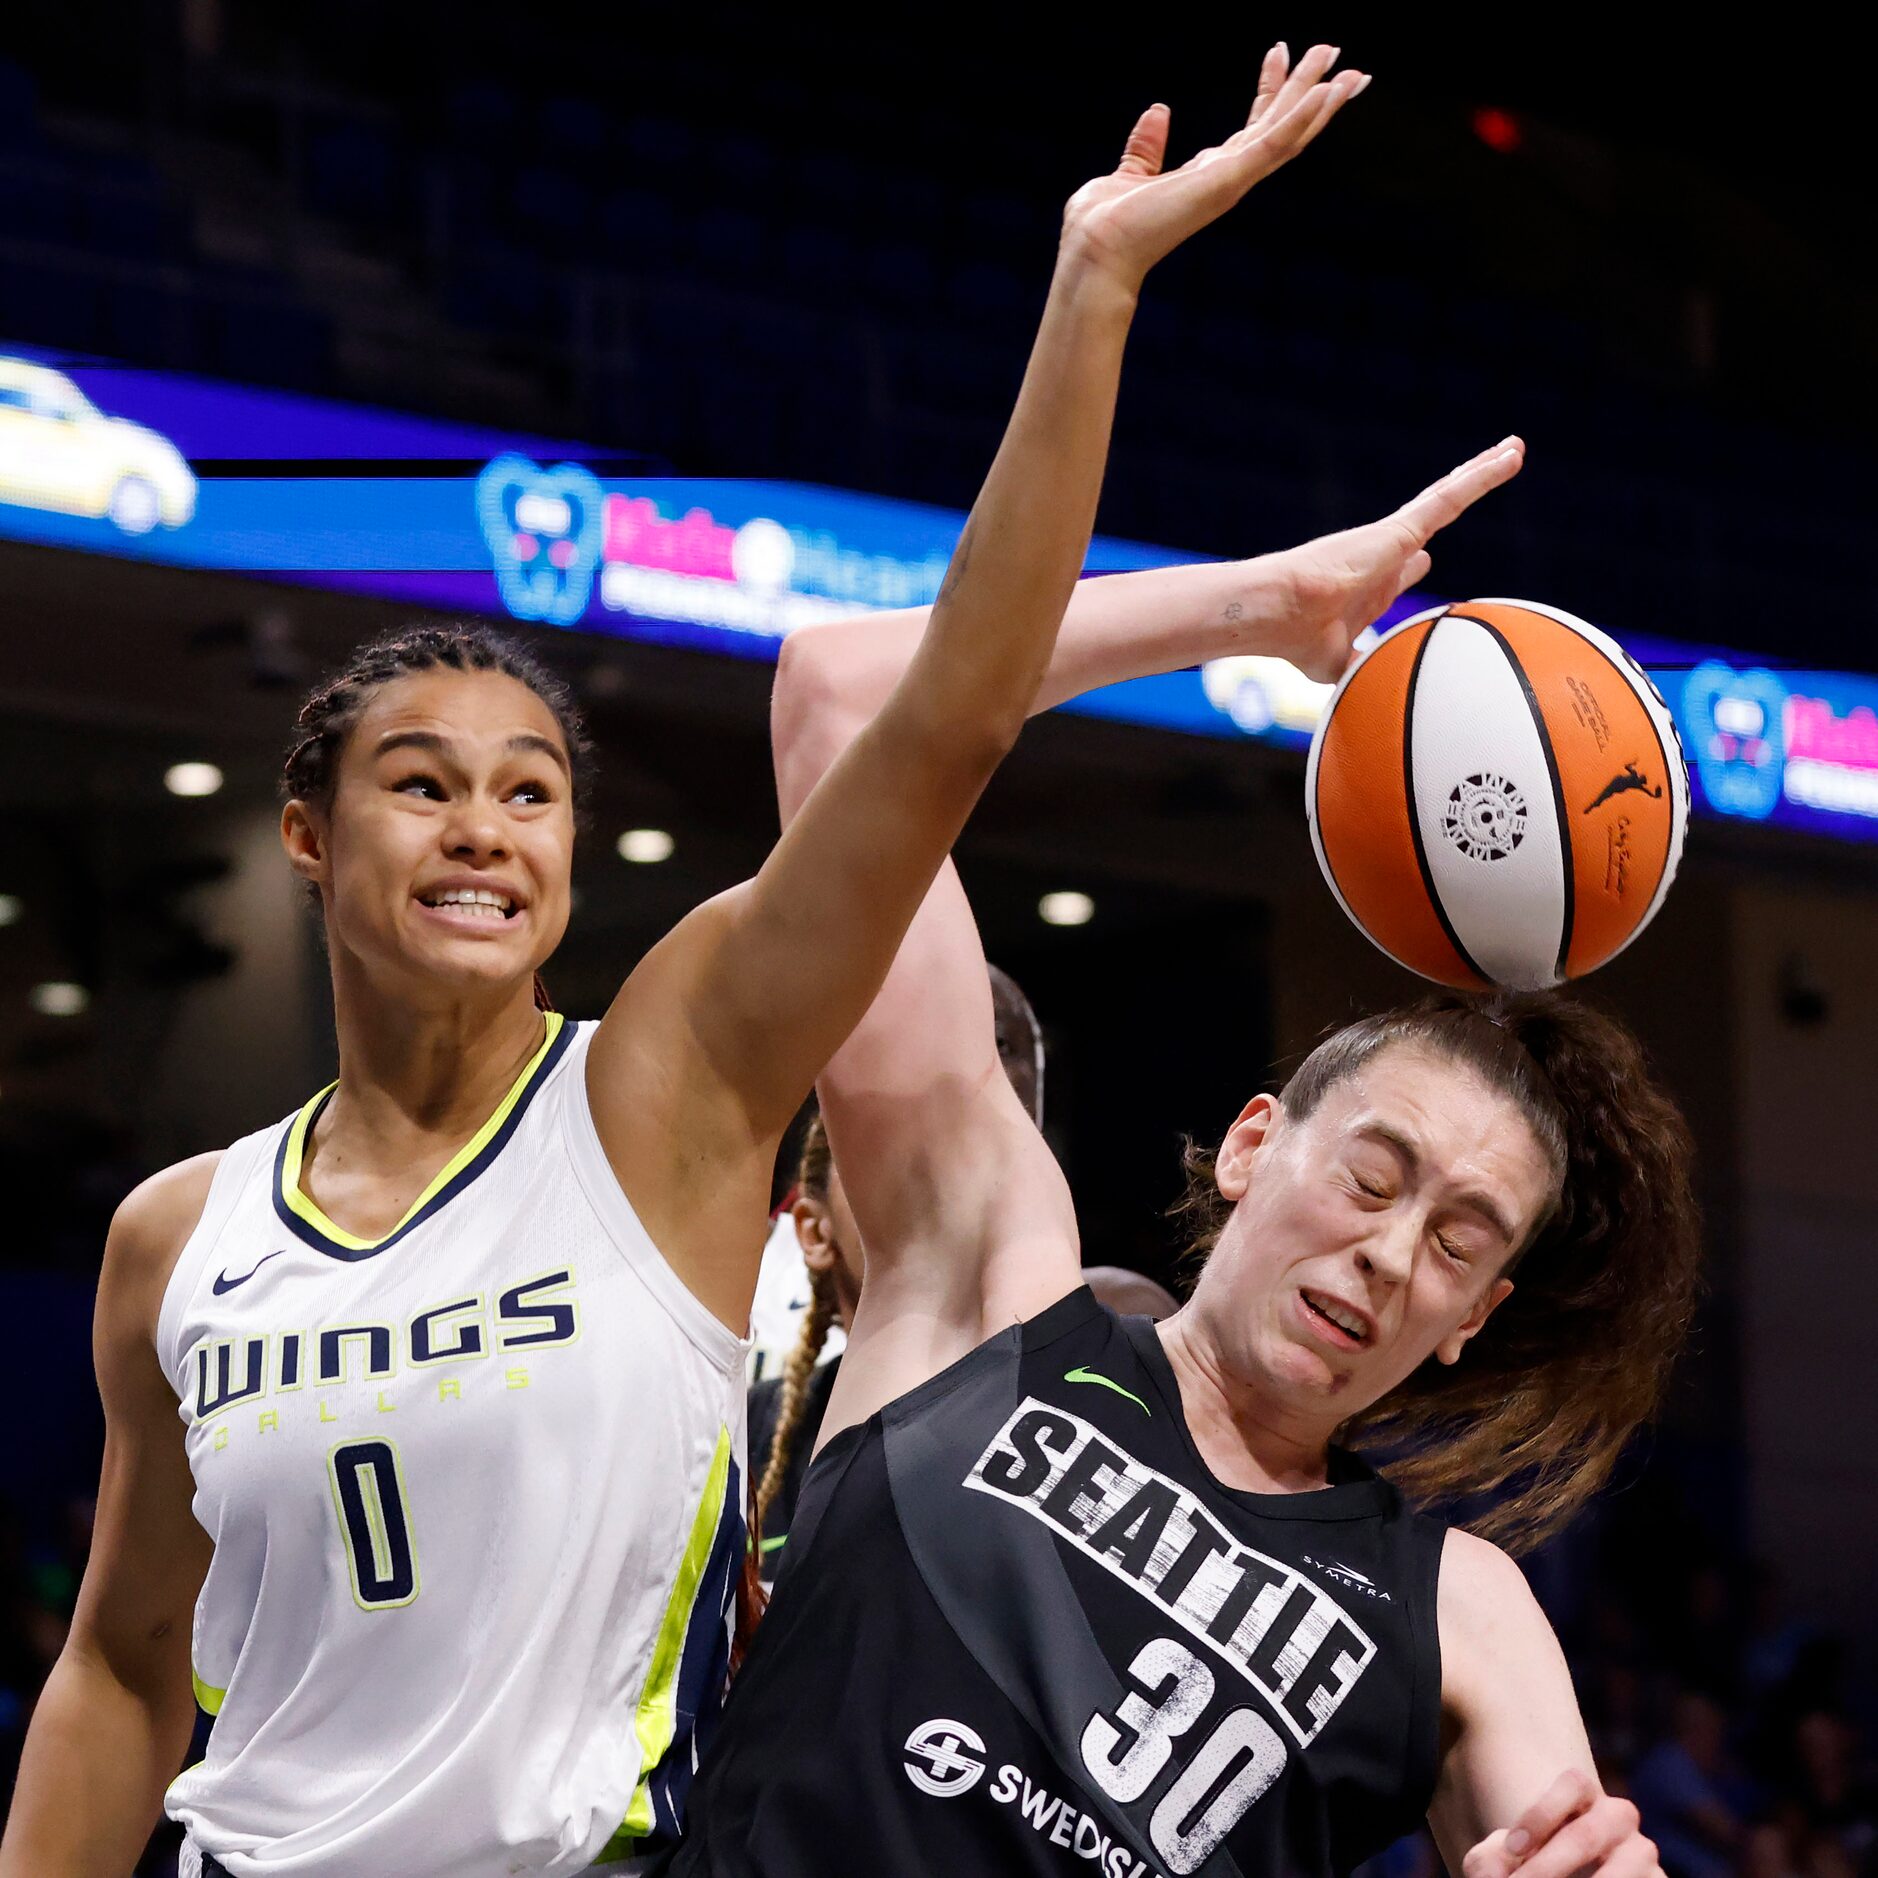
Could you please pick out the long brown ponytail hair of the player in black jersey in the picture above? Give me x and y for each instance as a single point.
(1545, 1398)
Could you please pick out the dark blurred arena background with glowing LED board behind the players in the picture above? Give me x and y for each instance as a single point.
(328, 300)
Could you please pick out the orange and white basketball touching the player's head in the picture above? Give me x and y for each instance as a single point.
(1498, 795)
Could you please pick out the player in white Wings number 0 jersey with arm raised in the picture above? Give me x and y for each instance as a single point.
(429, 1398)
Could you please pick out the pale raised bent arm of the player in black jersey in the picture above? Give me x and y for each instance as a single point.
(961, 1205)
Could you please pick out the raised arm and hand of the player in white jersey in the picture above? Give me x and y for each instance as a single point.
(726, 1024)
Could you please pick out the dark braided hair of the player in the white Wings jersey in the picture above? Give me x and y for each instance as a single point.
(333, 709)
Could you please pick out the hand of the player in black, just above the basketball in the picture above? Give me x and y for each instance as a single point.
(1340, 585)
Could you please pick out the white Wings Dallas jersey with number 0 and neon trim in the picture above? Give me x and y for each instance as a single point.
(478, 1503)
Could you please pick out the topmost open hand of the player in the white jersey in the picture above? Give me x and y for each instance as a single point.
(1137, 215)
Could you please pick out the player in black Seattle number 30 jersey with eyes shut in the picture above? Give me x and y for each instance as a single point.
(1077, 1593)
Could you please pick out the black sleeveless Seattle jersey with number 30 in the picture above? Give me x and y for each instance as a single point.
(1023, 1629)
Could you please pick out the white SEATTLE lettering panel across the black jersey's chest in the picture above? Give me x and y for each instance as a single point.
(1287, 1637)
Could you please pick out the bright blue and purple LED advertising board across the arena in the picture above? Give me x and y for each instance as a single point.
(168, 469)
